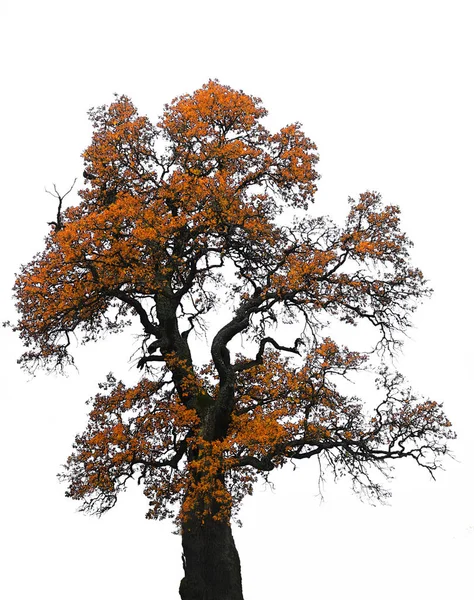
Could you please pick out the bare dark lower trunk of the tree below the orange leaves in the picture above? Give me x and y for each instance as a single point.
(211, 562)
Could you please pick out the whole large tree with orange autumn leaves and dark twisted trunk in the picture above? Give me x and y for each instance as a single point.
(208, 212)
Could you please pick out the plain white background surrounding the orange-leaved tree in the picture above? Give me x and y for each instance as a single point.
(385, 90)
